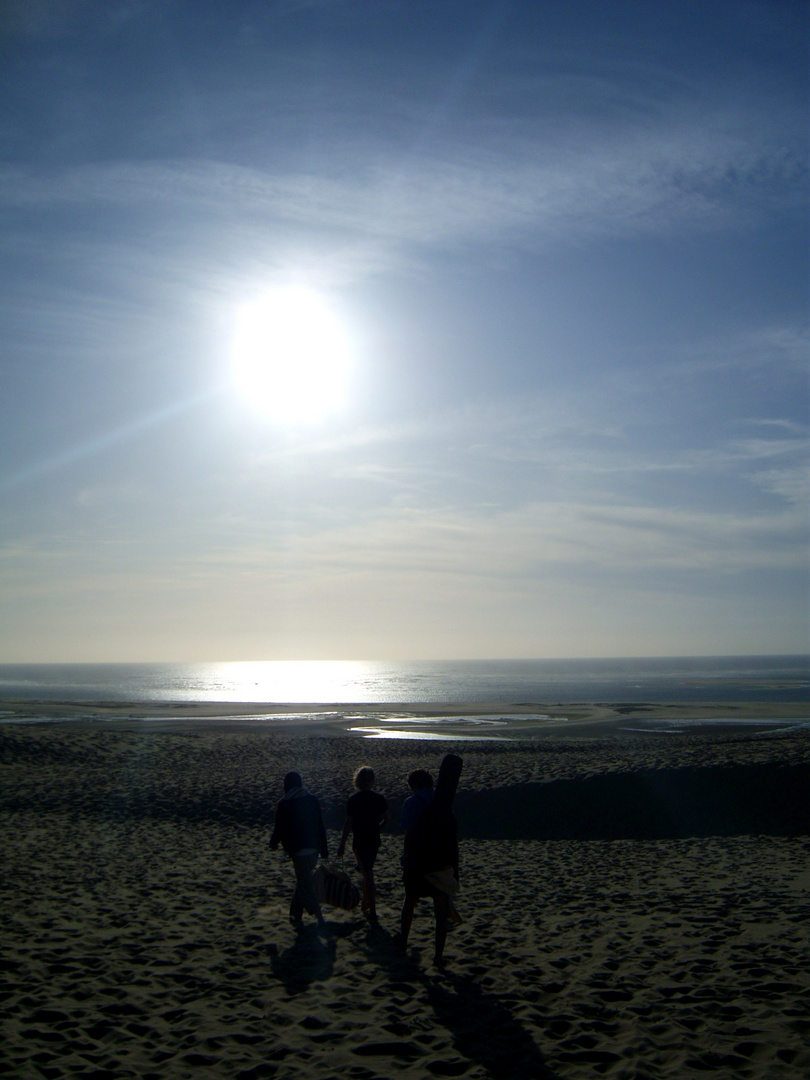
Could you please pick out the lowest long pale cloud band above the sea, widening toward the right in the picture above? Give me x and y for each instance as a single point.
(536, 542)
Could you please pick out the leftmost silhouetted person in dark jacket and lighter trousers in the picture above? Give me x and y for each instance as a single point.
(300, 830)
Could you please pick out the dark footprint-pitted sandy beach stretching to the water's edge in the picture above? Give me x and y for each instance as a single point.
(636, 904)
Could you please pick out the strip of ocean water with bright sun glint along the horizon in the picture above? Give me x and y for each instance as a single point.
(715, 680)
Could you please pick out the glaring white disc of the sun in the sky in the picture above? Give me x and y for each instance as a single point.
(292, 357)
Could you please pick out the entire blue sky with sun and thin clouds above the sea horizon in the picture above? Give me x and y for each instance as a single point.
(345, 330)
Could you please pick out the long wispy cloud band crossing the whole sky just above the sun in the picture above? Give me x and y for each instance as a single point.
(710, 177)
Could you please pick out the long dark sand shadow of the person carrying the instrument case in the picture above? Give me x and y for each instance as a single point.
(483, 1029)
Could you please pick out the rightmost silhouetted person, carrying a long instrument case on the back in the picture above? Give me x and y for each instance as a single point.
(430, 853)
